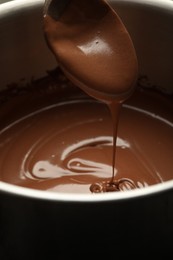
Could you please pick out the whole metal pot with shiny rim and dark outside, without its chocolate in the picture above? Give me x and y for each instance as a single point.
(37, 223)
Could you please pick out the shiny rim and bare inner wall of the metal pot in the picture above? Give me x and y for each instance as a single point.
(24, 55)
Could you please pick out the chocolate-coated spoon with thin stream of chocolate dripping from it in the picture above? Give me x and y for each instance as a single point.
(95, 51)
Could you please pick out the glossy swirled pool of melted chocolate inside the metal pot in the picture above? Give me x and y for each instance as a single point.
(61, 139)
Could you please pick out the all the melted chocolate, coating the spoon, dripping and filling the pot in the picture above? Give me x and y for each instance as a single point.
(64, 140)
